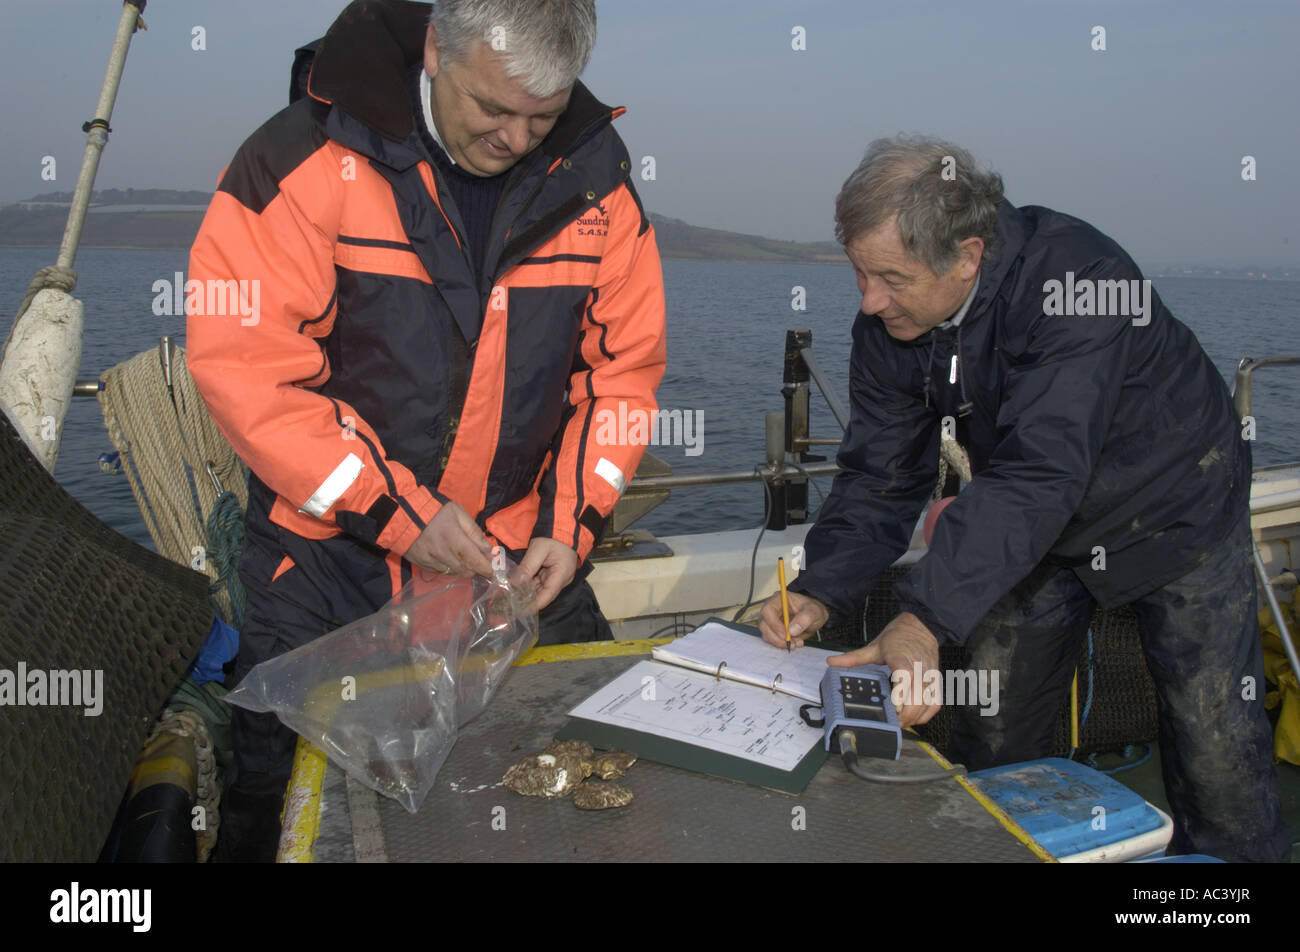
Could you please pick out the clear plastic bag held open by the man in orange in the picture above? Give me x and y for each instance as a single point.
(385, 695)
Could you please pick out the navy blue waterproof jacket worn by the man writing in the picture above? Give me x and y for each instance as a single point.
(1089, 436)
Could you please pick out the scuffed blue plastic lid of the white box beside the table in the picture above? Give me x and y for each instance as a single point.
(1067, 807)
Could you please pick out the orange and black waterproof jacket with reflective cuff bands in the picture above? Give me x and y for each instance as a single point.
(369, 375)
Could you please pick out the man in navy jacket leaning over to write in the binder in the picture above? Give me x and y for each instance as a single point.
(1107, 466)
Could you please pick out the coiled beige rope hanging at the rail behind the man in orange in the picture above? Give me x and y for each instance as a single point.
(175, 458)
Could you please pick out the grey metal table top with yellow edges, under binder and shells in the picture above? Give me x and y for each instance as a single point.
(677, 816)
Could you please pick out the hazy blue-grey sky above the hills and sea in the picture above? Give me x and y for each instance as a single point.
(1146, 139)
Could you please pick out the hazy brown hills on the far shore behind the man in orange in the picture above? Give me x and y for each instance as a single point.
(116, 220)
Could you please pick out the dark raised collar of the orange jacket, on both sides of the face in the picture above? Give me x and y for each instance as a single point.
(366, 57)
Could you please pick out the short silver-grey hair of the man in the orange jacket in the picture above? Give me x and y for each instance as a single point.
(545, 42)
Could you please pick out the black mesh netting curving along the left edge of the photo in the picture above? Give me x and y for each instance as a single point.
(75, 598)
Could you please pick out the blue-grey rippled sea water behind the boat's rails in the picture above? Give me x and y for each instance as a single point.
(727, 326)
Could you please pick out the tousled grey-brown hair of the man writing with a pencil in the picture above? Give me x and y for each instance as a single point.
(942, 198)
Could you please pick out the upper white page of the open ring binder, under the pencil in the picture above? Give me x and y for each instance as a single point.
(725, 652)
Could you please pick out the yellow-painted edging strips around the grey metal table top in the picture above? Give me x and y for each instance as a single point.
(304, 798)
